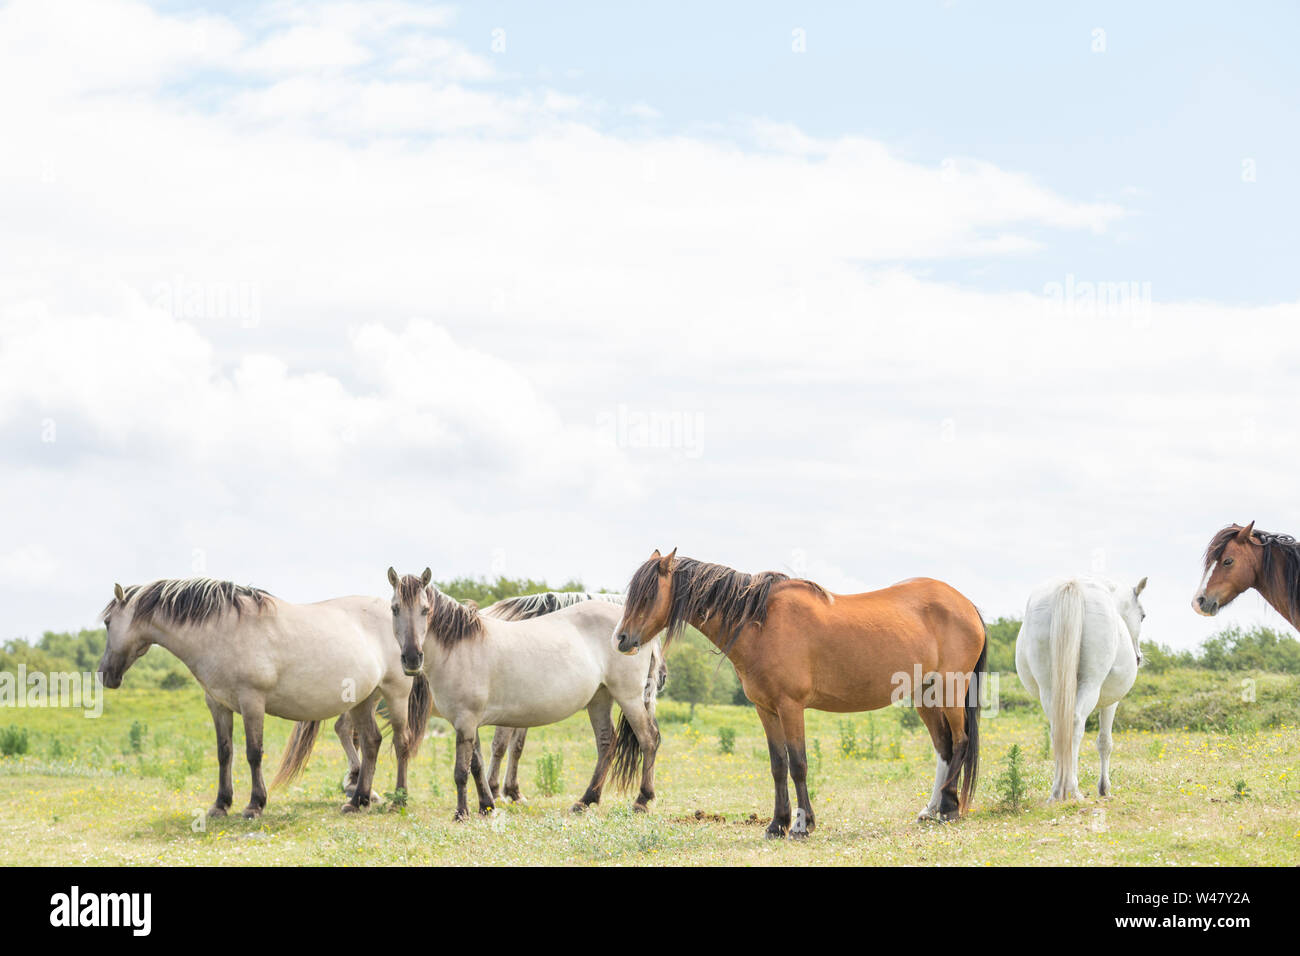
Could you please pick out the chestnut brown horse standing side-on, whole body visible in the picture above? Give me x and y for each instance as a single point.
(796, 646)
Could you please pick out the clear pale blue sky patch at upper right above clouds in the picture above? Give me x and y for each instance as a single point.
(1160, 122)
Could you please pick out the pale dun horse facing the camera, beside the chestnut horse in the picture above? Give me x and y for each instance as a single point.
(484, 671)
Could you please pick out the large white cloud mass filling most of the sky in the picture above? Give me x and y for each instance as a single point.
(454, 283)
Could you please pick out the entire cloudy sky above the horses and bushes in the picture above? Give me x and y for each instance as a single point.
(989, 293)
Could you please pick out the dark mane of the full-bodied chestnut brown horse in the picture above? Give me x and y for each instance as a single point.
(710, 592)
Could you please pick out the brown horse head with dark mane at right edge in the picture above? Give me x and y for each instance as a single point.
(1241, 559)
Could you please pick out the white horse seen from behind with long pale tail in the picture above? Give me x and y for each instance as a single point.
(1078, 651)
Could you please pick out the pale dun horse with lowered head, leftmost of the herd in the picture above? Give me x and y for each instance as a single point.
(255, 655)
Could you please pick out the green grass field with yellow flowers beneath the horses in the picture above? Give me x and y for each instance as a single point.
(132, 788)
